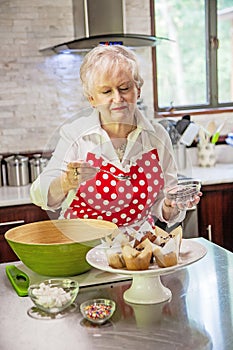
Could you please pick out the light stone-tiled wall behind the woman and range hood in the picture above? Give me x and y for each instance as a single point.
(38, 91)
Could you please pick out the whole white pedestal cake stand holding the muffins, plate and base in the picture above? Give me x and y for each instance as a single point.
(146, 287)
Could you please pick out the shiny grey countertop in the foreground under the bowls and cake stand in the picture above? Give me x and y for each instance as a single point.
(199, 315)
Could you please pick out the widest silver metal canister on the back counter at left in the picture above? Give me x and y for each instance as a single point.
(17, 170)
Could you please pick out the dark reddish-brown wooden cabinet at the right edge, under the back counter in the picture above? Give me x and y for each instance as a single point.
(215, 214)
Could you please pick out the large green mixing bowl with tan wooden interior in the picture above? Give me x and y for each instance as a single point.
(45, 246)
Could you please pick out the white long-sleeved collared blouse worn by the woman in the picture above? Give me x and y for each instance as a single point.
(85, 135)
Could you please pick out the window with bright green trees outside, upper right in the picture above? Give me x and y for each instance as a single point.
(195, 68)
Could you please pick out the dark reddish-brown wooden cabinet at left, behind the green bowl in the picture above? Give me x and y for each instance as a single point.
(12, 216)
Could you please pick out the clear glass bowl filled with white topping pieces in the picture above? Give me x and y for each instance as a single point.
(54, 295)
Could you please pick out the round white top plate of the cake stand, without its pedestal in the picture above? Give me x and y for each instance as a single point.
(190, 252)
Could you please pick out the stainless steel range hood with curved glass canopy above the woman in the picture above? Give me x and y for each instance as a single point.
(101, 22)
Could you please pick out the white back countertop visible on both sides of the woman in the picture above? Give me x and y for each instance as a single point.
(220, 173)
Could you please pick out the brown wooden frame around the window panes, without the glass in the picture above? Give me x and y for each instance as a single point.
(212, 104)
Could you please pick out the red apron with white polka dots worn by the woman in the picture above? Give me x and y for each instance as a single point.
(123, 202)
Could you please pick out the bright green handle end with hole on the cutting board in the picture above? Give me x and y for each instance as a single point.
(19, 280)
